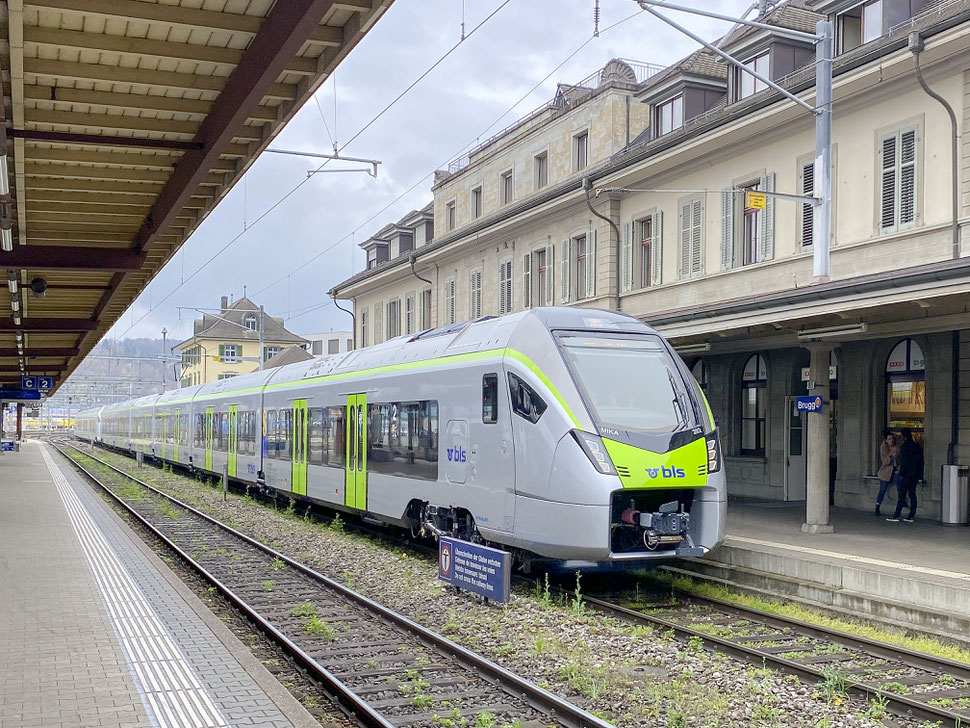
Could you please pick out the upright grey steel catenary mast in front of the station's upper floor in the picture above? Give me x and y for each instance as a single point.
(822, 212)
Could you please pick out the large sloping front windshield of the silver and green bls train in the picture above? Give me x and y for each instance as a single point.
(629, 382)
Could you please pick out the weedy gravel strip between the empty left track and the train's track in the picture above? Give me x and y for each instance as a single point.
(630, 675)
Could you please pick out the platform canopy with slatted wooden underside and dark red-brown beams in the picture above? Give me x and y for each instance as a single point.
(124, 123)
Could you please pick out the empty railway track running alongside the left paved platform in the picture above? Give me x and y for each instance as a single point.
(382, 669)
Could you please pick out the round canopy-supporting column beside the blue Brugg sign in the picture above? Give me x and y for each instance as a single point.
(817, 491)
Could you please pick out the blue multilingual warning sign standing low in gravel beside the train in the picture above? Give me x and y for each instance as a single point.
(479, 569)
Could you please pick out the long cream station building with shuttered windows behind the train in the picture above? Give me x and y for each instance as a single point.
(660, 233)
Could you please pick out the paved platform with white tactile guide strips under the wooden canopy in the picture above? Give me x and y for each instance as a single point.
(96, 631)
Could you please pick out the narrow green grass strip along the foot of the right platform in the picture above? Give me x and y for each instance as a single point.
(796, 611)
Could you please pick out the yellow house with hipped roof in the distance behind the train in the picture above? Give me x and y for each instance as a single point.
(226, 344)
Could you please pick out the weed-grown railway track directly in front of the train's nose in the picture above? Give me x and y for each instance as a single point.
(912, 684)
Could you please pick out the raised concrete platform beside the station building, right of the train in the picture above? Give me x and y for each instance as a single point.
(905, 574)
